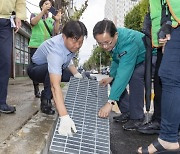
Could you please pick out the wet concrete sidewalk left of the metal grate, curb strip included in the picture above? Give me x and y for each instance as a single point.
(28, 130)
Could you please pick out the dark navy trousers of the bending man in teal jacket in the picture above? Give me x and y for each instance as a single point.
(134, 101)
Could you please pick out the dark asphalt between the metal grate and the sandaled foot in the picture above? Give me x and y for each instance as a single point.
(126, 142)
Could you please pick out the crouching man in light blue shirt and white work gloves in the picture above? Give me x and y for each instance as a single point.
(52, 63)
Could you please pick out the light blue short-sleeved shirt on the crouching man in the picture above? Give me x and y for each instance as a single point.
(55, 53)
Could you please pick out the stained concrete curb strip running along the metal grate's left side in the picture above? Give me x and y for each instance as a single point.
(32, 137)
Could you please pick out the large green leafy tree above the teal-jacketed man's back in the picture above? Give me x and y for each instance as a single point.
(134, 19)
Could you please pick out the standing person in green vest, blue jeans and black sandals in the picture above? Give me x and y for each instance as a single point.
(169, 72)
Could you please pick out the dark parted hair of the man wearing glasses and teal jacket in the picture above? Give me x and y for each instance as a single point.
(105, 26)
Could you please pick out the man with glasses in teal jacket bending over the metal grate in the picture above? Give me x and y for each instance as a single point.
(128, 54)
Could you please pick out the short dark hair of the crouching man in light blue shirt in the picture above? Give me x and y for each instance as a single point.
(74, 29)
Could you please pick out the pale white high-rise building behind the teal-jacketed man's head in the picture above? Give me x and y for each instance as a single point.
(116, 10)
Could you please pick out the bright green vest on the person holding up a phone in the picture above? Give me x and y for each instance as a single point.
(40, 33)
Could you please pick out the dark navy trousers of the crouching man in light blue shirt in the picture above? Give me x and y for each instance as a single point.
(39, 73)
